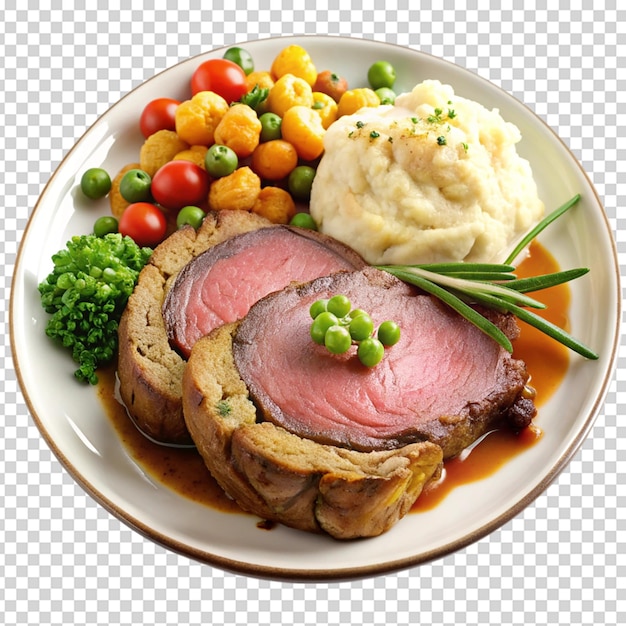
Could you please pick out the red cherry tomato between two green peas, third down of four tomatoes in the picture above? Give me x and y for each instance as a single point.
(180, 183)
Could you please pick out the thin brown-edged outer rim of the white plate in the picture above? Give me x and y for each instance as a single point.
(326, 574)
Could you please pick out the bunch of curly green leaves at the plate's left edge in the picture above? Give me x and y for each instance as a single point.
(86, 293)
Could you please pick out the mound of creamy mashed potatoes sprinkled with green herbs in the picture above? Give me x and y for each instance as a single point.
(434, 178)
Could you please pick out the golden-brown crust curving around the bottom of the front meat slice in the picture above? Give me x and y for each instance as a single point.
(280, 476)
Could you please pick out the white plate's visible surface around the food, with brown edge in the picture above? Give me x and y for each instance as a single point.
(73, 422)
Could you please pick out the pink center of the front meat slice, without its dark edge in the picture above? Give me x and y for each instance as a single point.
(437, 368)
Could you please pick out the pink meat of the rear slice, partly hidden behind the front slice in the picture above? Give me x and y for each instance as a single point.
(221, 284)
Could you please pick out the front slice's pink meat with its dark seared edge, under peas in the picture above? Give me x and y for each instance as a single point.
(445, 381)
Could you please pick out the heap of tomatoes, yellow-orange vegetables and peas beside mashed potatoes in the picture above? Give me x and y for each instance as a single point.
(246, 139)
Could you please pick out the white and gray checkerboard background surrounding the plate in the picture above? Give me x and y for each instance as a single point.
(65, 560)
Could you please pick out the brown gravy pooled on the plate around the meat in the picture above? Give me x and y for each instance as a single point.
(183, 470)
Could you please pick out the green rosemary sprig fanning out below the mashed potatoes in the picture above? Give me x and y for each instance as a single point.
(495, 286)
